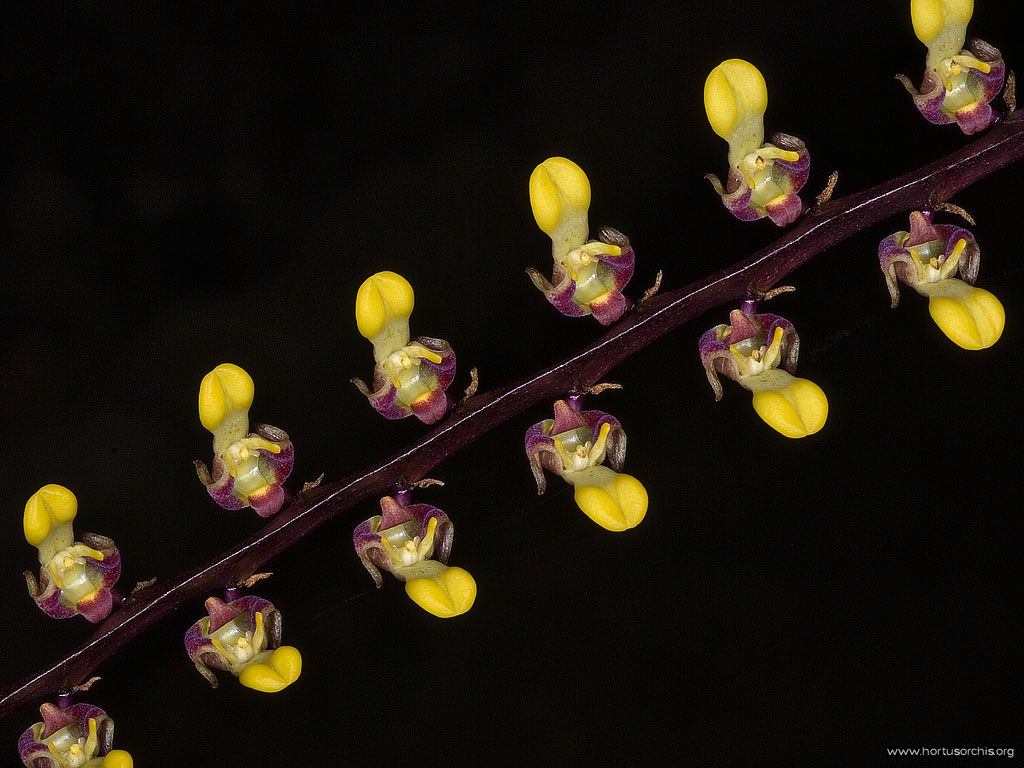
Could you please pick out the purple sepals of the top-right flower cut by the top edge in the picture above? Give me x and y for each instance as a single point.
(931, 99)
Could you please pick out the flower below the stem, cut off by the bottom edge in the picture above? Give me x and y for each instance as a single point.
(77, 737)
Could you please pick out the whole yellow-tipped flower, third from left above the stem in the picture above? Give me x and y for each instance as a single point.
(410, 377)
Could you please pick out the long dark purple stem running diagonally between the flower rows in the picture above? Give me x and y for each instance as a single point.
(820, 231)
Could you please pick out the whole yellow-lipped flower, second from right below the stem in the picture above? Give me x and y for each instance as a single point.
(750, 351)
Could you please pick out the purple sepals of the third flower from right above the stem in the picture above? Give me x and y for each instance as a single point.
(614, 272)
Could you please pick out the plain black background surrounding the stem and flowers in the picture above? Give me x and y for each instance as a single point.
(186, 188)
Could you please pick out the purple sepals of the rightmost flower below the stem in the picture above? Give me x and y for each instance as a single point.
(900, 266)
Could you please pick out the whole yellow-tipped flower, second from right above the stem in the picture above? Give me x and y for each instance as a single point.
(764, 179)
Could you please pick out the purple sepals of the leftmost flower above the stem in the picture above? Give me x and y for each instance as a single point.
(102, 574)
